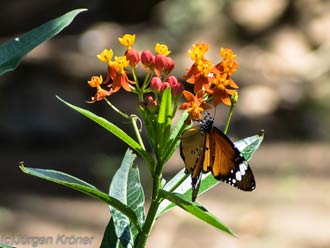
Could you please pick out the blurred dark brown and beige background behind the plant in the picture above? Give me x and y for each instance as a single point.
(283, 50)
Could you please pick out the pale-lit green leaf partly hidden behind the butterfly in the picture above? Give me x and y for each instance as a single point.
(247, 146)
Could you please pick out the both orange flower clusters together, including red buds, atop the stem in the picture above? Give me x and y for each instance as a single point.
(211, 82)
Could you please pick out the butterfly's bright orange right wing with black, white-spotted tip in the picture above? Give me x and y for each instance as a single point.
(229, 165)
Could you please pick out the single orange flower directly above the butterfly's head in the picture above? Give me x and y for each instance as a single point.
(194, 105)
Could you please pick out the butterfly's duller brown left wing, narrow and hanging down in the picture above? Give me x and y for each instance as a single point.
(192, 151)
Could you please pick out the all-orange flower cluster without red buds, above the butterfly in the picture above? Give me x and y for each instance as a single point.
(210, 81)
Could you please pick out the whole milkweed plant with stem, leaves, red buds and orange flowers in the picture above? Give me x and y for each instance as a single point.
(165, 111)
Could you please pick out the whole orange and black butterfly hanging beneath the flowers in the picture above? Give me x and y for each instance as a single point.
(204, 148)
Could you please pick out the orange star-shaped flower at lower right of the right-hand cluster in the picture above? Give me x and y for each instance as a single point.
(222, 88)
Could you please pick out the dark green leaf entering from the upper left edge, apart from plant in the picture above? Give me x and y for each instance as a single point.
(12, 51)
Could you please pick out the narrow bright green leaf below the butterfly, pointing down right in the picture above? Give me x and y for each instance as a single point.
(195, 209)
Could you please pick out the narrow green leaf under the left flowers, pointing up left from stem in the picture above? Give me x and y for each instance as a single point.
(115, 131)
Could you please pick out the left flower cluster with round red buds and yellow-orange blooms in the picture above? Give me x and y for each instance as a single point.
(158, 68)
